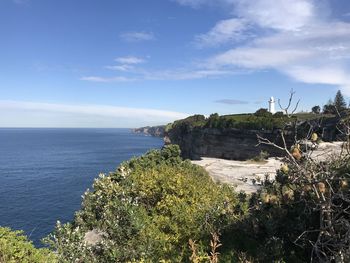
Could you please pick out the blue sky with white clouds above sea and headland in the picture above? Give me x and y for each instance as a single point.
(131, 63)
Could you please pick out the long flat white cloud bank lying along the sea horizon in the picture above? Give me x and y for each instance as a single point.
(37, 114)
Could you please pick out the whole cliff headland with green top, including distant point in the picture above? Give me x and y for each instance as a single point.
(220, 137)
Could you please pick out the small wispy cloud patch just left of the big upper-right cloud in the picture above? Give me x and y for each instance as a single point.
(225, 31)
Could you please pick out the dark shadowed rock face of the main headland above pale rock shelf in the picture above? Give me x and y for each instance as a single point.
(233, 144)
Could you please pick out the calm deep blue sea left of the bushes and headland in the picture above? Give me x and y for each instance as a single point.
(44, 172)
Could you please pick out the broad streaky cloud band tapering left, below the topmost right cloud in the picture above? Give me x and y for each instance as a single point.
(317, 55)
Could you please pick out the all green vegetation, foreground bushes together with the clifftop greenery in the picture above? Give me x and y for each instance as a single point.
(160, 208)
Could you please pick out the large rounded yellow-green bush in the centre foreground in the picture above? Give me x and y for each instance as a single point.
(149, 210)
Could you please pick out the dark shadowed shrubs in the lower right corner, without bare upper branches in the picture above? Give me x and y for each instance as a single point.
(300, 216)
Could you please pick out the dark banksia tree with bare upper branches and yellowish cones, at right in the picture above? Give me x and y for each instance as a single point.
(311, 196)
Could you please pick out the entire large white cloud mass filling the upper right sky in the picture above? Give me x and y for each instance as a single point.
(295, 37)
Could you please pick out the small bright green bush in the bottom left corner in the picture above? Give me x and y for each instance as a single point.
(15, 247)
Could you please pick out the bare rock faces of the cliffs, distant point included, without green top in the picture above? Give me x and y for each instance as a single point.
(233, 144)
